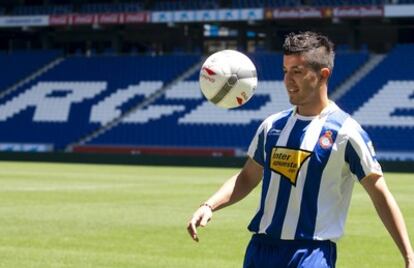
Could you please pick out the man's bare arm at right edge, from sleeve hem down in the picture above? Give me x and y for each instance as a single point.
(390, 214)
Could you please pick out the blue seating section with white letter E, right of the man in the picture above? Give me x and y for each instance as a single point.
(382, 101)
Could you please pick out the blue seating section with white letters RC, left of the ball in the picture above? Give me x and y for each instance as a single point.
(71, 88)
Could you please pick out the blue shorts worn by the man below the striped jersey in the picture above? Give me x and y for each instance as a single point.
(265, 252)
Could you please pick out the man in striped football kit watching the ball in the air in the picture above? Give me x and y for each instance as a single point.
(308, 158)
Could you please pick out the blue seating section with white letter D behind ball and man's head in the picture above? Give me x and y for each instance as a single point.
(193, 122)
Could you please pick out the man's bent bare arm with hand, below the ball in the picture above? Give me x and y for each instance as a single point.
(232, 191)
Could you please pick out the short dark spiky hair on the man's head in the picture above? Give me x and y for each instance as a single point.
(317, 49)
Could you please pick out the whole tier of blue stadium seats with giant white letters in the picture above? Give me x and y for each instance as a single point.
(180, 116)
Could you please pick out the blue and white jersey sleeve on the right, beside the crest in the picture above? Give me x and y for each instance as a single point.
(360, 154)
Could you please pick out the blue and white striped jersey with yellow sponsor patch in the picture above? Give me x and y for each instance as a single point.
(310, 165)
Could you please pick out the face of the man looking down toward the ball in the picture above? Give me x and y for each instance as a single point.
(302, 83)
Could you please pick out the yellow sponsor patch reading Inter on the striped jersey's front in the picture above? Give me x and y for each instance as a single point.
(287, 162)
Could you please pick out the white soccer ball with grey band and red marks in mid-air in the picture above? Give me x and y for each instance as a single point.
(228, 78)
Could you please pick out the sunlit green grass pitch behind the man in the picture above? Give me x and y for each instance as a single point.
(72, 215)
